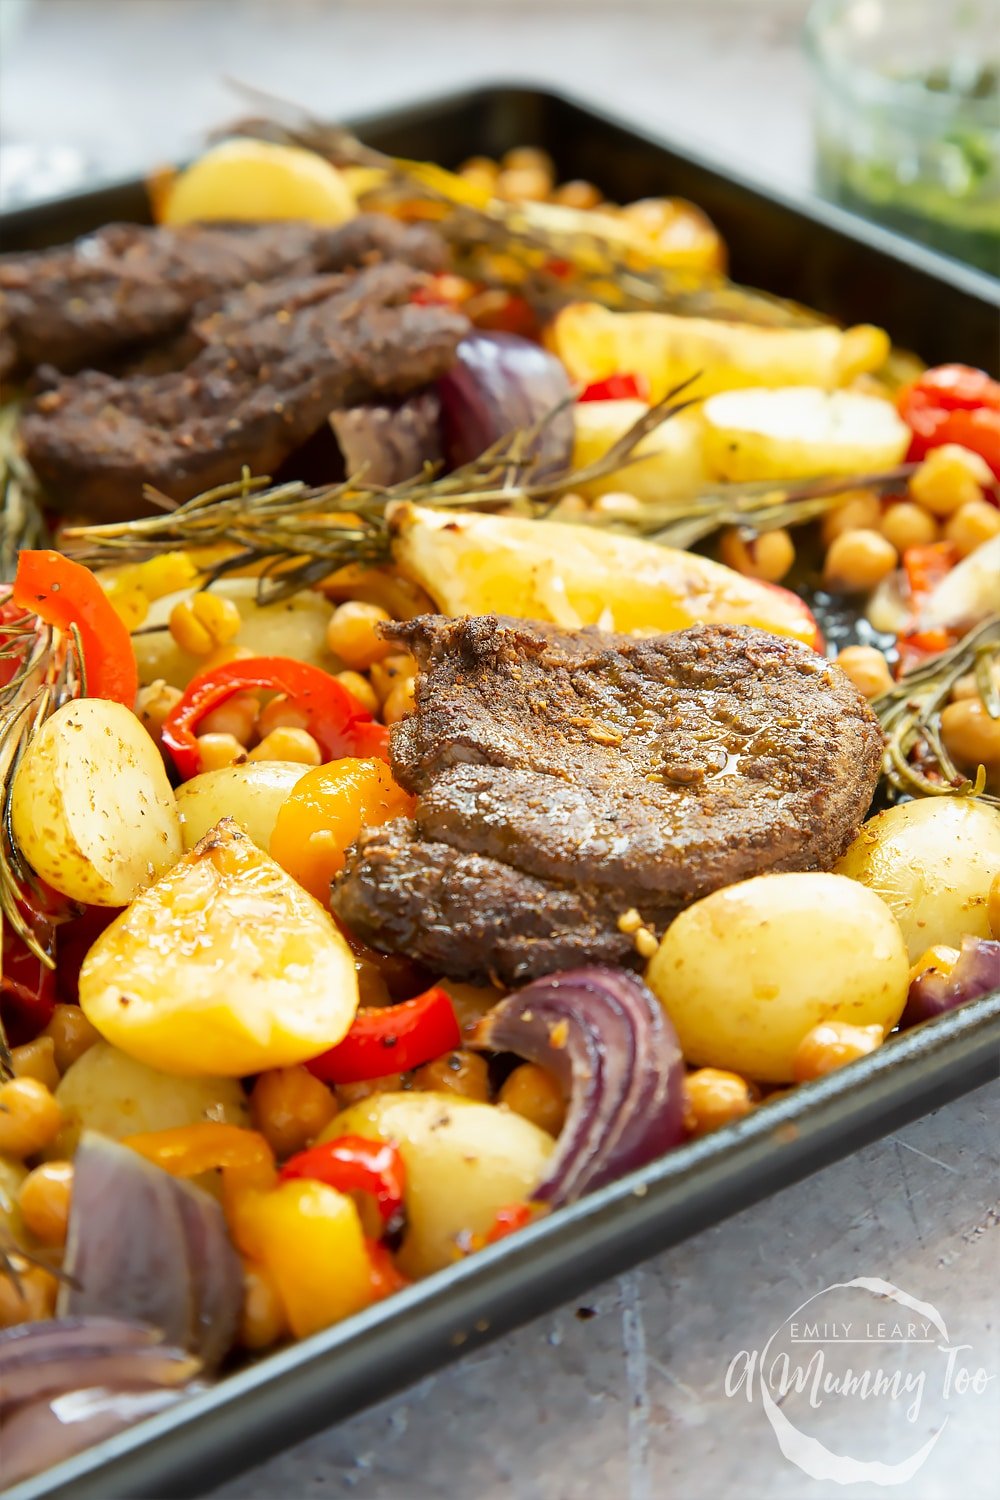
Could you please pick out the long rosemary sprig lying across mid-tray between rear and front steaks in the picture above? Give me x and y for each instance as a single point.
(301, 535)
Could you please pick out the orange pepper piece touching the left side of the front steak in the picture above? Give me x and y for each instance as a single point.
(326, 812)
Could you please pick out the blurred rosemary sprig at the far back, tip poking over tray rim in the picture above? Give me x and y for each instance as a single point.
(551, 254)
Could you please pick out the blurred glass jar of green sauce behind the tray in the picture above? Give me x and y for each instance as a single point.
(908, 118)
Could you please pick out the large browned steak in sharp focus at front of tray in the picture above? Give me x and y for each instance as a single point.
(566, 778)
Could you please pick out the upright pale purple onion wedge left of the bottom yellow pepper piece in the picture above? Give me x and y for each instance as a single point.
(145, 1246)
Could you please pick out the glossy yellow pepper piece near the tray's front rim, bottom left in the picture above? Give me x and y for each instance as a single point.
(310, 1240)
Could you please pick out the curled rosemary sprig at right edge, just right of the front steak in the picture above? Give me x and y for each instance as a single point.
(917, 760)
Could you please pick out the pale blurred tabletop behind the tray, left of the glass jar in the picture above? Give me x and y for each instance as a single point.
(110, 86)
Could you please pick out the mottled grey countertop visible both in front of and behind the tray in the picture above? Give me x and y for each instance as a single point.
(624, 1396)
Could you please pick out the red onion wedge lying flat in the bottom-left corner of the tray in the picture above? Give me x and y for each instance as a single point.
(67, 1384)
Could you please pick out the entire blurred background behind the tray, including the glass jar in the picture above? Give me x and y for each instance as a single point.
(891, 107)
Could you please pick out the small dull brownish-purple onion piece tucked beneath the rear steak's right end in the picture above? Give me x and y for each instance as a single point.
(391, 443)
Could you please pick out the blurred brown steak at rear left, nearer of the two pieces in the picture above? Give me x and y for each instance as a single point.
(275, 362)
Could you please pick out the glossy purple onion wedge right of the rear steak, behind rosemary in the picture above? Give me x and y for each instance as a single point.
(499, 383)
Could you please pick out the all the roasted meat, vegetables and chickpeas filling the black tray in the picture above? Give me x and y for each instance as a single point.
(428, 790)
